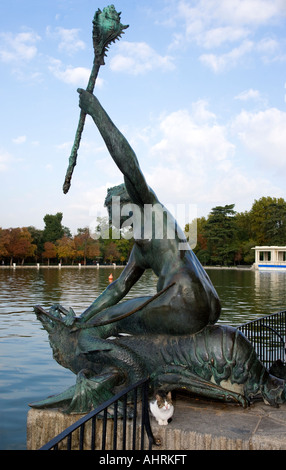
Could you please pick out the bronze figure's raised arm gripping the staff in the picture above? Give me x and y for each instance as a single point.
(119, 149)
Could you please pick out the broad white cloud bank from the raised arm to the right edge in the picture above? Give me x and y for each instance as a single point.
(196, 159)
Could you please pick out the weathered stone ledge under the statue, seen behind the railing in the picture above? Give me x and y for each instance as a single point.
(197, 425)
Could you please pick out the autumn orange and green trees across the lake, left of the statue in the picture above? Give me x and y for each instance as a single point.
(55, 244)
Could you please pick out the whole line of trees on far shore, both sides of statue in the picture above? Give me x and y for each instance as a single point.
(224, 238)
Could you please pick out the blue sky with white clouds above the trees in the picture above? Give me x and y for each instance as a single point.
(196, 86)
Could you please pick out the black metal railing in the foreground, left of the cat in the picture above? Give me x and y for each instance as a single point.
(95, 431)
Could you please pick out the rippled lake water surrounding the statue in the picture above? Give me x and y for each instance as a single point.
(27, 370)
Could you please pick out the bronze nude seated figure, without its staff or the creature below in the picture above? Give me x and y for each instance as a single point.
(188, 301)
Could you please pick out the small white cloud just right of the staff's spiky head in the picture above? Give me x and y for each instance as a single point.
(139, 58)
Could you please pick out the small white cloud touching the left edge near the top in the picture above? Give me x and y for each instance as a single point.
(18, 47)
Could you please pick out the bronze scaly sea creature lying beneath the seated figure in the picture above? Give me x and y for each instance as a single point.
(218, 362)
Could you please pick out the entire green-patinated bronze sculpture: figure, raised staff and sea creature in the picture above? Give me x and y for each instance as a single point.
(172, 336)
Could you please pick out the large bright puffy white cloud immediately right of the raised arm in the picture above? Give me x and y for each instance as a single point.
(191, 156)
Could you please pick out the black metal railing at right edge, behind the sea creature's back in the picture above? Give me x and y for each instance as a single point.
(267, 335)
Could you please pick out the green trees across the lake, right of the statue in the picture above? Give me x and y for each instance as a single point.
(226, 237)
